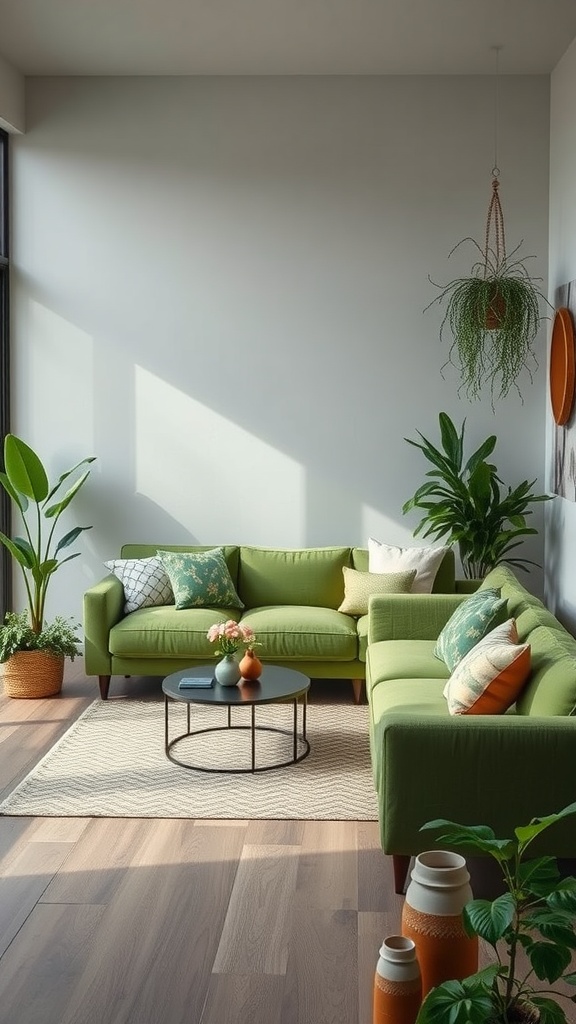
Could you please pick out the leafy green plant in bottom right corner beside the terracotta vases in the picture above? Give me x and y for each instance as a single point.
(530, 927)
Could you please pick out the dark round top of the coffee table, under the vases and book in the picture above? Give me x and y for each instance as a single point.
(275, 685)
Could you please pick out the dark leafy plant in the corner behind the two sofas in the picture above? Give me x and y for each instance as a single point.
(466, 503)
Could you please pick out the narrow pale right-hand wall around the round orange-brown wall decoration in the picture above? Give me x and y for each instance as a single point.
(561, 517)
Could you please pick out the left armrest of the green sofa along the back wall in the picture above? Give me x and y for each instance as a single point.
(104, 607)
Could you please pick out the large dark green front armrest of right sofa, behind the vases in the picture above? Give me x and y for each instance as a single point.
(500, 771)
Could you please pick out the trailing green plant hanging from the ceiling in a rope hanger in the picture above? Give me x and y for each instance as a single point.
(493, 315)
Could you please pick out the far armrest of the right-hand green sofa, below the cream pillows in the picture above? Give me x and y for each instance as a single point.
(409, 617)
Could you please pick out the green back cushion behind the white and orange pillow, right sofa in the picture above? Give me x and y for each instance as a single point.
(552, 688)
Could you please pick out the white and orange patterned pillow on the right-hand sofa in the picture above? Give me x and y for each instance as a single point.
(489, 678)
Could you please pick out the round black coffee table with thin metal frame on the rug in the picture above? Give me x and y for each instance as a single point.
(276, 686)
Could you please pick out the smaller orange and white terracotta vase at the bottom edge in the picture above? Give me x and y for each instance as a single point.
(398, 986)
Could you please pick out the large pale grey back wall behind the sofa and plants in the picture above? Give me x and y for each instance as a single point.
(219, 291)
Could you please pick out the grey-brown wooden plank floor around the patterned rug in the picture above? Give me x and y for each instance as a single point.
(167, 922)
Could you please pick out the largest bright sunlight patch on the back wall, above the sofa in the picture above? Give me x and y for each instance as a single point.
(216, 479)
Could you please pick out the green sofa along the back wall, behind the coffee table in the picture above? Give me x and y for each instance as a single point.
(292, 598)
